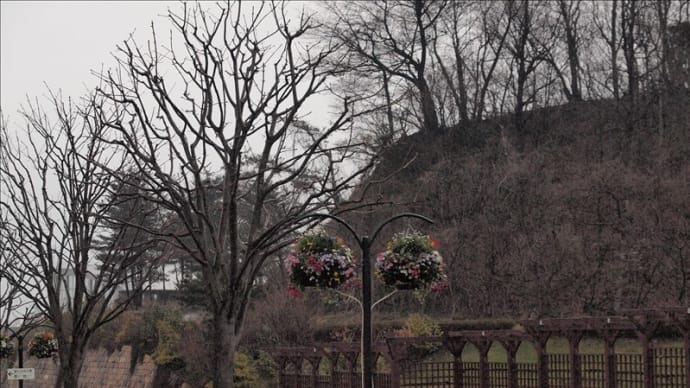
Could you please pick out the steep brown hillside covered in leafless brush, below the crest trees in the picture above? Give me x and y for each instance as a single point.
(586, 211)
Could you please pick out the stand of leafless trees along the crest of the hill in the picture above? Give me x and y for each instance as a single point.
(471, 60)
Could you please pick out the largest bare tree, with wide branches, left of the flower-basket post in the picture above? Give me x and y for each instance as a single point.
(228, 101)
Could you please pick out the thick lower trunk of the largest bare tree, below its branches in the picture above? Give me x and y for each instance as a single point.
(223, 343)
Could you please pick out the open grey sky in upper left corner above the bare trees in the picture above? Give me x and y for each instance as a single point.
(60, 42)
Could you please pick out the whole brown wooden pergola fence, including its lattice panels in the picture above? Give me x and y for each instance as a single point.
(337, 364)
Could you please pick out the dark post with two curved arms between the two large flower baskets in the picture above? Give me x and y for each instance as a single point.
(365, 243)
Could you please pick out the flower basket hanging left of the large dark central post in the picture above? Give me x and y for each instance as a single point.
(318, 260)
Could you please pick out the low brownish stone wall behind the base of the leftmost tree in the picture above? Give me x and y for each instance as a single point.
(101, 369)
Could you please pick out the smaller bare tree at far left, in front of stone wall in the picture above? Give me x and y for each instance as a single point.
(55, 200)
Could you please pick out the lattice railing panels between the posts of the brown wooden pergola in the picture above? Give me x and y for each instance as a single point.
(669, 372)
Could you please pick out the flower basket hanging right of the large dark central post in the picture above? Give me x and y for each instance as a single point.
(410, 262)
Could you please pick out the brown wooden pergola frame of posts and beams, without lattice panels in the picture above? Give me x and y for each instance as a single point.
(644, 324)
